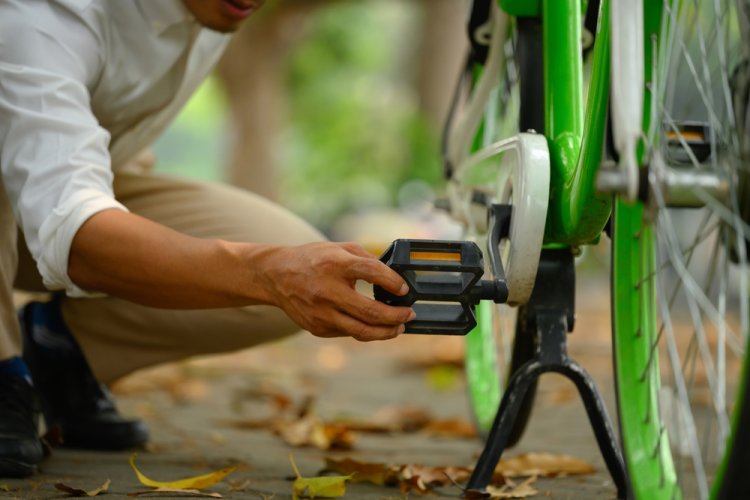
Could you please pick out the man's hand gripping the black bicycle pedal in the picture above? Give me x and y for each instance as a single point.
(315, 285)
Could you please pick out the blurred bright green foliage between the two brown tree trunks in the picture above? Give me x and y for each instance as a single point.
(355, 133)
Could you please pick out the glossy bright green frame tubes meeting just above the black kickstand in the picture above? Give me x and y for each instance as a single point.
(577, 214)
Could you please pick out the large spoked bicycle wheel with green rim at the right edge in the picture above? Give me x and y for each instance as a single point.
(680, 279)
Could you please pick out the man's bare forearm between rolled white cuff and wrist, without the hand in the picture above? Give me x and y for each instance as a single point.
(127, 256)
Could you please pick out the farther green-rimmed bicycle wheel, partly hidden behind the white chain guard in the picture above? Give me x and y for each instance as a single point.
(501, 343)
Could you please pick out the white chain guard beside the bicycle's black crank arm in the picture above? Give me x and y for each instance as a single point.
(520, 170)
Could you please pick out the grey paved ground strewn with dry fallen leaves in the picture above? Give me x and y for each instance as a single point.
(187, 406)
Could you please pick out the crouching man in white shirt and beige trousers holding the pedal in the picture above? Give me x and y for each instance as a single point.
(146, 269)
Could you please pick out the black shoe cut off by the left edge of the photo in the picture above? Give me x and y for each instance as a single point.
(20, 447)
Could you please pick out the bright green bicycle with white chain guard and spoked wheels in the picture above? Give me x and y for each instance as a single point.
(656, 163)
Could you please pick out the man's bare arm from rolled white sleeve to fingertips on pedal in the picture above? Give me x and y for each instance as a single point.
(127, 256)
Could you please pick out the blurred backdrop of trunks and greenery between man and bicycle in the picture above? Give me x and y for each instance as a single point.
(331, 108)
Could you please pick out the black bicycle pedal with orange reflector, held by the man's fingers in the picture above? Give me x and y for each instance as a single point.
(444, 284)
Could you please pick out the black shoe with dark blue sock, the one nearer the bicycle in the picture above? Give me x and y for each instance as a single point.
(71, 398)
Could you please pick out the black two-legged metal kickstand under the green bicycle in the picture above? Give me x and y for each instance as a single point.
(552, 308)
